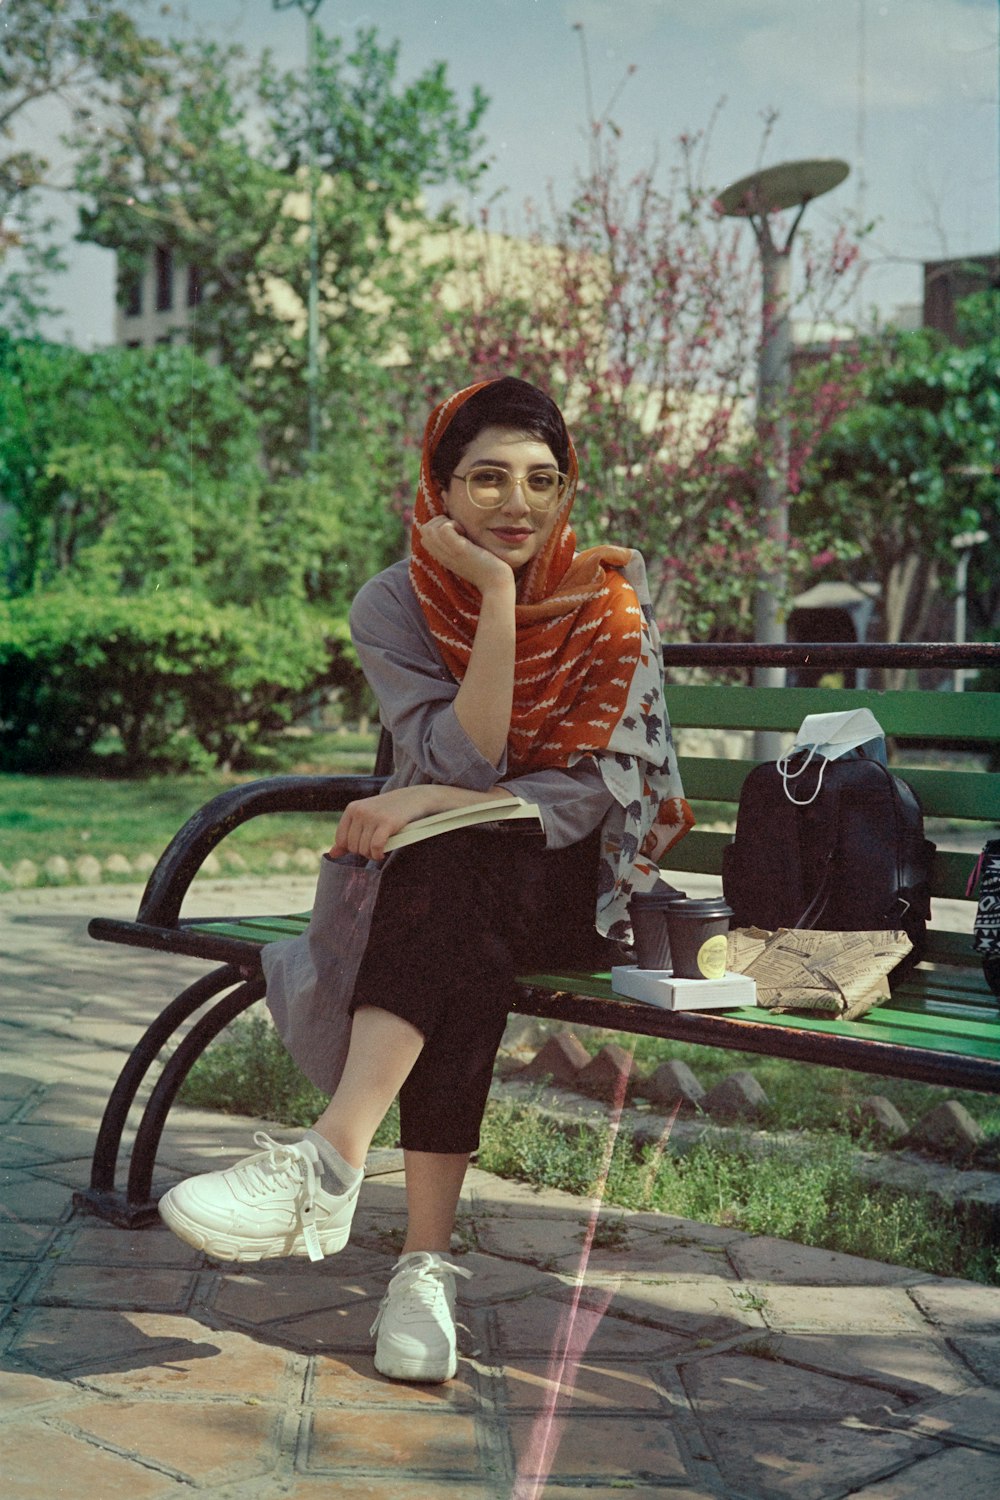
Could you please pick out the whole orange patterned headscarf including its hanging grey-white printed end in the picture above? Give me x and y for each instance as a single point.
(588, 677)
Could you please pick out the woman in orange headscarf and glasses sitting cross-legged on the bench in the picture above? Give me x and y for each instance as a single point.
(504, 664)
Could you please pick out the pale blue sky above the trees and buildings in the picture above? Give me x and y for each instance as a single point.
(903, 91)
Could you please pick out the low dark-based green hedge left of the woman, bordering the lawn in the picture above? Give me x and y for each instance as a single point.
(181, 680)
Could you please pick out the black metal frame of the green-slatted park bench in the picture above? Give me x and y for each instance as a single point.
(951, 983)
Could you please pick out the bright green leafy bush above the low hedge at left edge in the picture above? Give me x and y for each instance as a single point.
(124, 439)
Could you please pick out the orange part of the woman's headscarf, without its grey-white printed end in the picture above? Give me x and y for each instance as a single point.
(578, 625)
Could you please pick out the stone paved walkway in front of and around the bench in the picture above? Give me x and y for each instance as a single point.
(686, 1361)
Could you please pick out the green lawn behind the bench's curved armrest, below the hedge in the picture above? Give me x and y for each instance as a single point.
(71, 817)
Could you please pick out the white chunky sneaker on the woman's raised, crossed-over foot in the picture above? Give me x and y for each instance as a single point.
(265, 1207)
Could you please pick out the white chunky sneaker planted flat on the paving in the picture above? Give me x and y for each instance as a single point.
(416, 1321)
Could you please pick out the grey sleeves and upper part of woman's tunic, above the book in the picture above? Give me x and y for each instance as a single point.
(416, 695)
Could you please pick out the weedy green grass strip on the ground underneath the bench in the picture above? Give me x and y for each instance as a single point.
(807, 1193)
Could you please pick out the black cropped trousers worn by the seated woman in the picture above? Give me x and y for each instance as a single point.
(458, 917)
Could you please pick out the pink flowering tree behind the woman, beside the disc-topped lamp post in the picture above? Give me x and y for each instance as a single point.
(638, 307)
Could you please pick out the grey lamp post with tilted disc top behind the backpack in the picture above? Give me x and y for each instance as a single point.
(791, 185)
